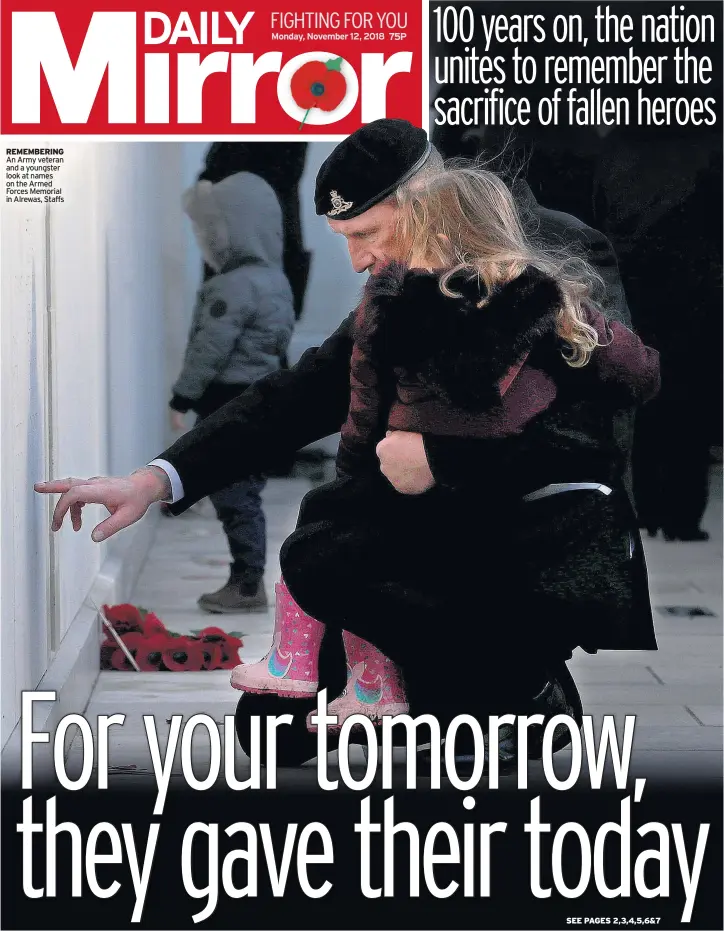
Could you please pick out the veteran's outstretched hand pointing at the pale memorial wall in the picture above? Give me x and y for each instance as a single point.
(127, 499)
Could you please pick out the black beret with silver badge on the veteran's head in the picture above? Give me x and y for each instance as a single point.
(368, 166)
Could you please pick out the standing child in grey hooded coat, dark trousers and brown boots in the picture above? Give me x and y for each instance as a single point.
(241, 327)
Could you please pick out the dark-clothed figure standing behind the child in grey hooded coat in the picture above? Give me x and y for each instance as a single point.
(281, 165)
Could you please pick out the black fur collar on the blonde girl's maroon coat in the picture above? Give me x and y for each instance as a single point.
(450, 344)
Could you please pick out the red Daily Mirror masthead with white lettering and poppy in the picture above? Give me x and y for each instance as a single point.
(306, 71)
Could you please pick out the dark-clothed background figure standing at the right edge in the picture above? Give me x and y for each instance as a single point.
(661, 200)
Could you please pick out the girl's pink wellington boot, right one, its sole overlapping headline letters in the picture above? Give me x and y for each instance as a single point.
(374, 685)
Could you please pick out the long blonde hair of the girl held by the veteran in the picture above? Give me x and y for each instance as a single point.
(464, 219)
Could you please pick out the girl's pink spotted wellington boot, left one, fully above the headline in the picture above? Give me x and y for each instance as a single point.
(291, 667)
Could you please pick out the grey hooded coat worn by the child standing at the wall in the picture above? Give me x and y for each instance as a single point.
(244, 315)
